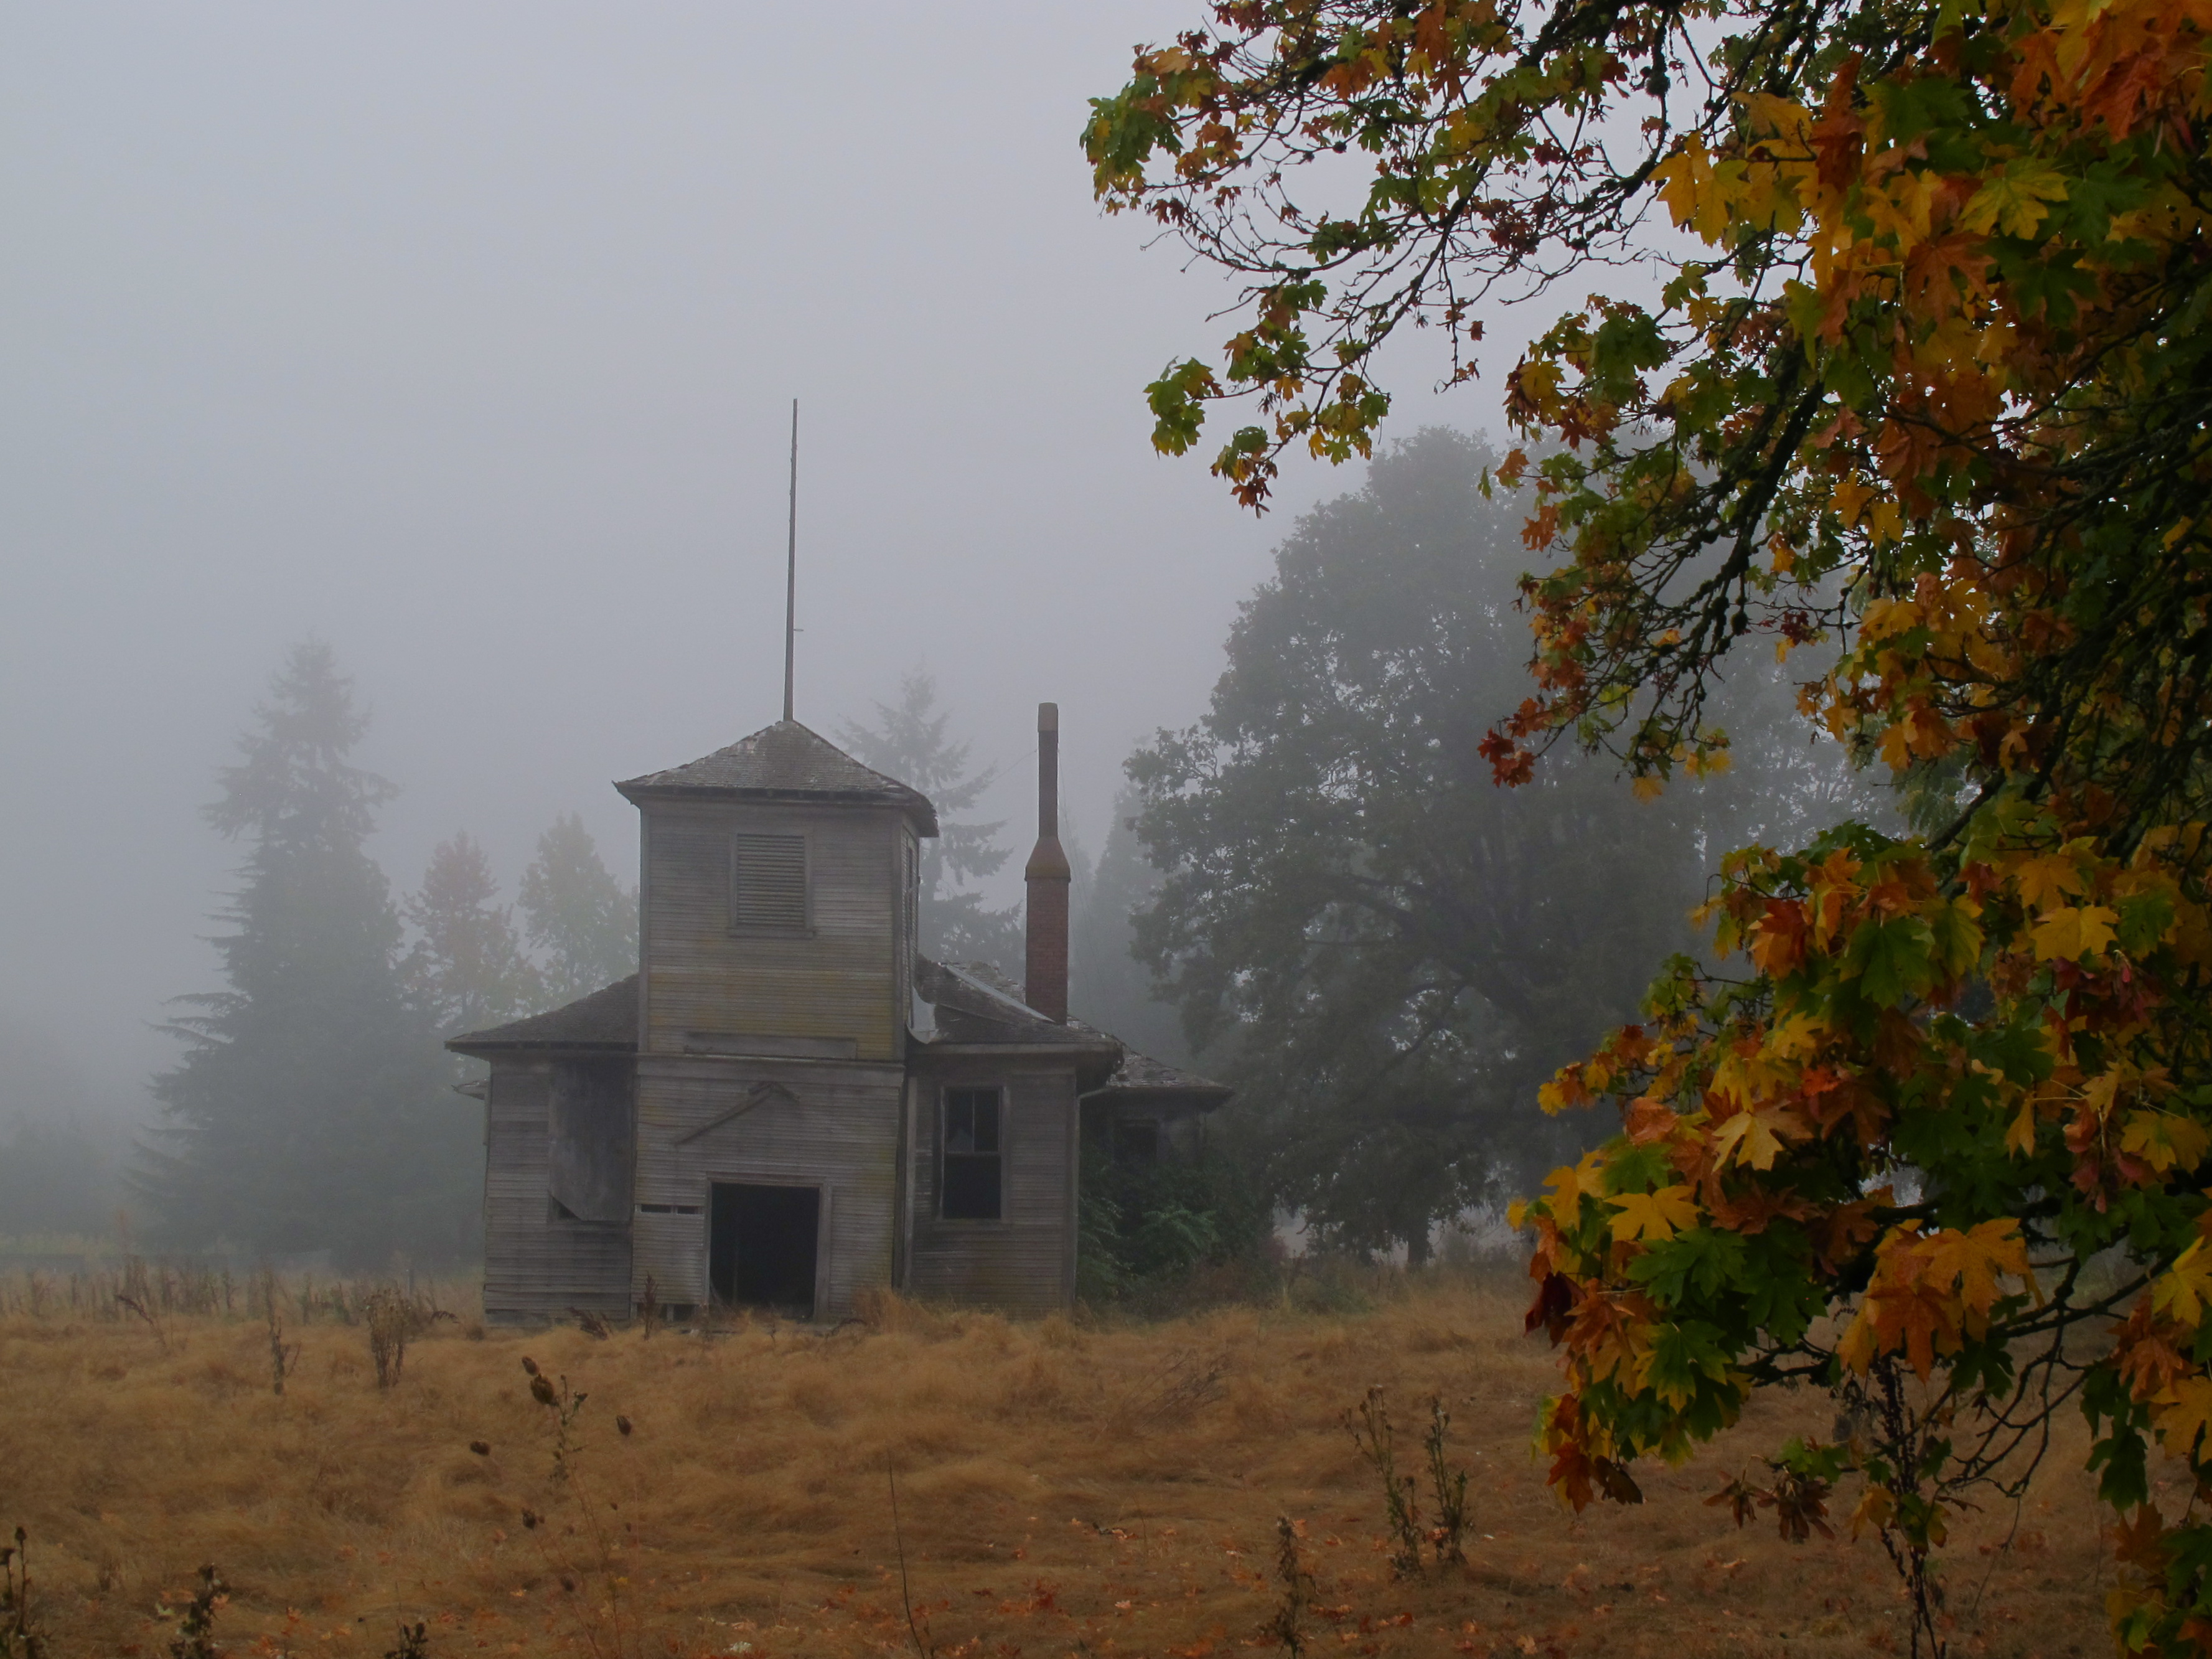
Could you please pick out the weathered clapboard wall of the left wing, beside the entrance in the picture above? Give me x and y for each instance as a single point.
(539, 1266)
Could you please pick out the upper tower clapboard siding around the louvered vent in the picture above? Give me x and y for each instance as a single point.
(709, 985)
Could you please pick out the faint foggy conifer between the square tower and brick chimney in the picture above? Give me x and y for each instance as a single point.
(910, 744)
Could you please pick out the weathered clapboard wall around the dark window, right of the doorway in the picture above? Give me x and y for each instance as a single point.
(1027, 1260)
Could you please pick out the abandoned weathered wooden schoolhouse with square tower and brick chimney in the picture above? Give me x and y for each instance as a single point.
(786, 1105)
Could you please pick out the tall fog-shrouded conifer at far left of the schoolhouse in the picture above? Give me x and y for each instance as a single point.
(311, 1109)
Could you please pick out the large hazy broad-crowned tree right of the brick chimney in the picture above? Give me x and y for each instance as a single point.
(1375, 943)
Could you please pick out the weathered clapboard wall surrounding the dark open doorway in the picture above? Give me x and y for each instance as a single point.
(831, 1125)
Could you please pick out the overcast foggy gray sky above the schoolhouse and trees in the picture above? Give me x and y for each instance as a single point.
(463, 337)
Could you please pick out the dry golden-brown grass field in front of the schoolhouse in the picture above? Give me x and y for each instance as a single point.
(1063, 1490)
